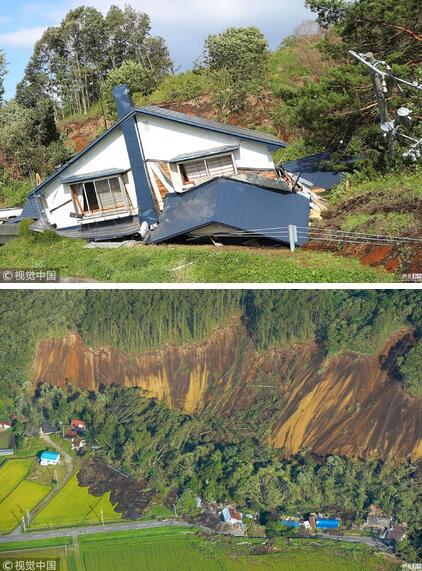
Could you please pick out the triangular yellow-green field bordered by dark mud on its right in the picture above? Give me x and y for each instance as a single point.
(74, 505)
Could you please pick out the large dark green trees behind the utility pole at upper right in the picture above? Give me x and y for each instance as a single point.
(337, 111)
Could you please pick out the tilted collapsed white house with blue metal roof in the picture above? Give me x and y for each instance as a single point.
(164, 175)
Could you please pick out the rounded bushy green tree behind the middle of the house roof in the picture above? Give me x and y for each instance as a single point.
(236, 61)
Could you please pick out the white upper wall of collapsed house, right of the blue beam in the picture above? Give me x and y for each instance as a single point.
(163, 139)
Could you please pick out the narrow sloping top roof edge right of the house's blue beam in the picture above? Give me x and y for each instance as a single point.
(249, 134)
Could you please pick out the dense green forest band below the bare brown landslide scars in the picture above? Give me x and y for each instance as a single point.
(228, 459)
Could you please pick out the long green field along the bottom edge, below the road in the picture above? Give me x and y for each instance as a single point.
(168, 549)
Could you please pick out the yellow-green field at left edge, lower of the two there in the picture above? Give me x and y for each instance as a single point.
(22, 499)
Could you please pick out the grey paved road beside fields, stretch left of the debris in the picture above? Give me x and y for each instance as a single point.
(76, 531)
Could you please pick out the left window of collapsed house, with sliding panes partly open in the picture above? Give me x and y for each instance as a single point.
(99, 195)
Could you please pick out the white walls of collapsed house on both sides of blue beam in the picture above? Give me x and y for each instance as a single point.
(162, 139)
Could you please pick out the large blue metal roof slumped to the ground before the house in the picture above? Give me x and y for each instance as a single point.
(234, 204)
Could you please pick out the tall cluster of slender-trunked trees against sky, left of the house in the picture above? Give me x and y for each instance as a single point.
(72, 61)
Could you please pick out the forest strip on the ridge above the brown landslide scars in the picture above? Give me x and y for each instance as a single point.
(135, 321)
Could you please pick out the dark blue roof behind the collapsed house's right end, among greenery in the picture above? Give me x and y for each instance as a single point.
(311, 171)
